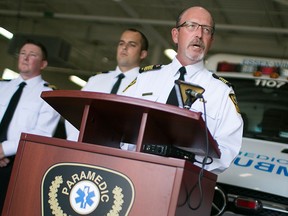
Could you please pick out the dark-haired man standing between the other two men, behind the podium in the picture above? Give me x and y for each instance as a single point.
(132, 49)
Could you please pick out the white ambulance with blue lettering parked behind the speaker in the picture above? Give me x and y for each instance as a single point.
(256, 183)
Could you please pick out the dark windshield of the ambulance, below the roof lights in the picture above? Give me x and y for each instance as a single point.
(264, 108)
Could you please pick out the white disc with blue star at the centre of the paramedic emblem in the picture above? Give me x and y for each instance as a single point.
(84, 197)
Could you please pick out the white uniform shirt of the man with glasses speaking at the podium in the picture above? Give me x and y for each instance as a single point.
(224, 122)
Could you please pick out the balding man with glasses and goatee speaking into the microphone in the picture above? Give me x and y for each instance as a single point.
(193, 36)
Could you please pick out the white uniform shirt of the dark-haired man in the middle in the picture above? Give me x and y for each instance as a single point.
(103, 83)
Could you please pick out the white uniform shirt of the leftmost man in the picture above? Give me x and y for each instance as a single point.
(32, 115)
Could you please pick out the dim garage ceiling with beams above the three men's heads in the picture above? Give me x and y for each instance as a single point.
(93, 27)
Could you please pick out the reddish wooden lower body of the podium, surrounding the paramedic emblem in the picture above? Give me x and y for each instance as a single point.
(160, 183)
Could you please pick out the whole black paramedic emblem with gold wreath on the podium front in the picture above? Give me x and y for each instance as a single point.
(81, 189)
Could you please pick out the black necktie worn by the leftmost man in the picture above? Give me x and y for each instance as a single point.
(10, 111)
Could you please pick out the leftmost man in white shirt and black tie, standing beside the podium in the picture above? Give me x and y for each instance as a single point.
(32, 114)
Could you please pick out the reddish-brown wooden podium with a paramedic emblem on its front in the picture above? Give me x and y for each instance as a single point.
(94, 177)
